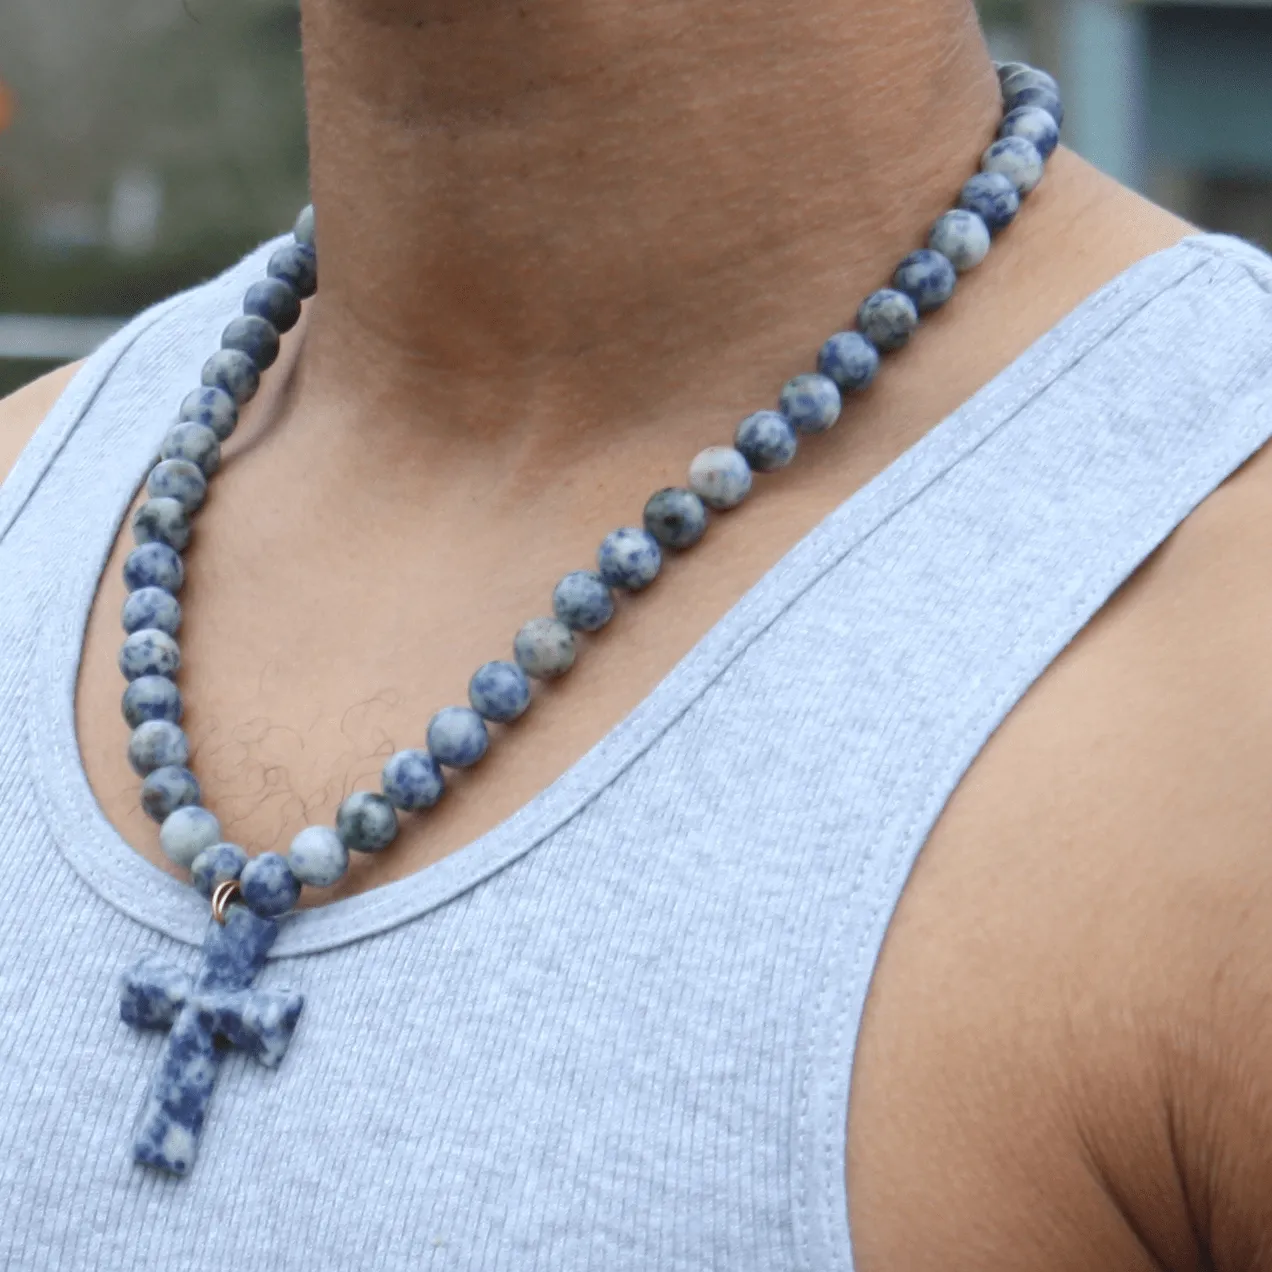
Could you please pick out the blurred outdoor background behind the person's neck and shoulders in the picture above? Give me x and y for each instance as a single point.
(146, 144)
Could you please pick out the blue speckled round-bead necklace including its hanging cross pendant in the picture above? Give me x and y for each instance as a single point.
(221, 1008)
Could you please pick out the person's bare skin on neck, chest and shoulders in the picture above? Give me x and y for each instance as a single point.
(565, 249)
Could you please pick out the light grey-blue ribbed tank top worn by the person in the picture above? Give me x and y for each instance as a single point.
(618, 1031)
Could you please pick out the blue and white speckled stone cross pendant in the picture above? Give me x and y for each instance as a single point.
(203, 1017)
